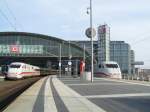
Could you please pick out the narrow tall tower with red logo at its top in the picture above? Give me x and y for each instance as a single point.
(103, 43)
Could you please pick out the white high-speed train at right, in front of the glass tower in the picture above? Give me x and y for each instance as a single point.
(108, 69)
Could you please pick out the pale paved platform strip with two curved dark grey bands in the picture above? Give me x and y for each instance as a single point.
(51, 95)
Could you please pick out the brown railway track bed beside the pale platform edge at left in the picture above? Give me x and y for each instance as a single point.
(9, 90)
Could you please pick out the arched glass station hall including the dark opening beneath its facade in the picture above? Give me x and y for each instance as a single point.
(36, 49)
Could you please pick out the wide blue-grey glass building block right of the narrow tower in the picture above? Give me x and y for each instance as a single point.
(121, 53)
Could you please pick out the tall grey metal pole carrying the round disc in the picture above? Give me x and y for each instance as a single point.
(91, 25)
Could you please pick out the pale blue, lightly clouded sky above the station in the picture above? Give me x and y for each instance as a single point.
(129, 20)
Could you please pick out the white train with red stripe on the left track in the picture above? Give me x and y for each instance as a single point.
(18, 70)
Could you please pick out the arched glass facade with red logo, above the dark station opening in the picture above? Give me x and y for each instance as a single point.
(35, 45)
